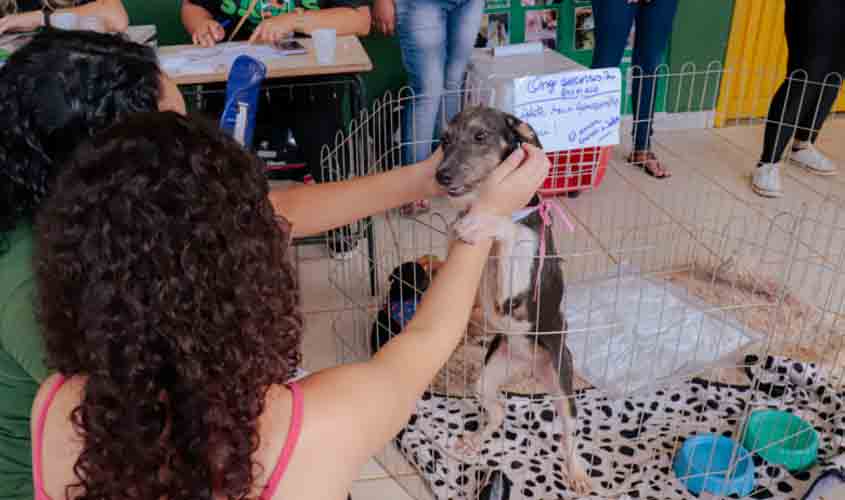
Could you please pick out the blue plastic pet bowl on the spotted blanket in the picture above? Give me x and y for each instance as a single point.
(704, 464)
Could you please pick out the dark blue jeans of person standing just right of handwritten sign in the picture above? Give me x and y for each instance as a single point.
(614, 19)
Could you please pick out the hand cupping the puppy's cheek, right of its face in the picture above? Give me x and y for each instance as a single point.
(512, 185)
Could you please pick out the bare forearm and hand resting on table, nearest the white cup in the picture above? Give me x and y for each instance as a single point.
(346, 20)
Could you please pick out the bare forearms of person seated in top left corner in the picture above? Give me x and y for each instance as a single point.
(26, 15)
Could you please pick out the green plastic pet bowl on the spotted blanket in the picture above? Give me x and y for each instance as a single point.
(782, 438)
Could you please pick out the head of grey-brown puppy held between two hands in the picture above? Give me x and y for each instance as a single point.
(474, 143)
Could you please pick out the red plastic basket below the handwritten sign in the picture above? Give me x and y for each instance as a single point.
(576, 170)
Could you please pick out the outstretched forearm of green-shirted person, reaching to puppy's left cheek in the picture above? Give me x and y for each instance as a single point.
(314, 208)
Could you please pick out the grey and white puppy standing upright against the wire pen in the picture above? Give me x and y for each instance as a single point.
(474, 144)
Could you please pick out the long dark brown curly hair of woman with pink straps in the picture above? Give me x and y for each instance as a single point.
(163, 277)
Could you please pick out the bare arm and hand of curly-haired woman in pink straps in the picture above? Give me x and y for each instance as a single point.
(376, 397)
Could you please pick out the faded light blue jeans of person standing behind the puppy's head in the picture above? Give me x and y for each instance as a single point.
(436, 38)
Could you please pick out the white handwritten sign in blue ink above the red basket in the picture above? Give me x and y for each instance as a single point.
(571, 110)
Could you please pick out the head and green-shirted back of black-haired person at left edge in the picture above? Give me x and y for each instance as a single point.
(56, 91)
